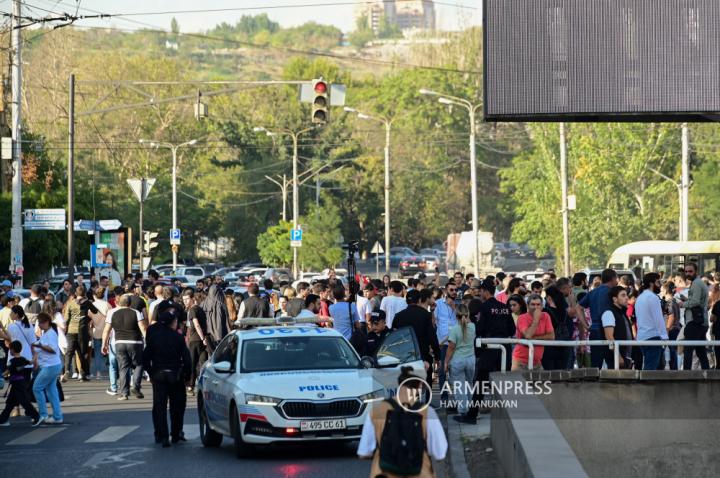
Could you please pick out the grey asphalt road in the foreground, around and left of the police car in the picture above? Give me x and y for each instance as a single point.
(104, 437)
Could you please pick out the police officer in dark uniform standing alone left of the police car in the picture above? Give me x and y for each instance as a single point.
(167, 360)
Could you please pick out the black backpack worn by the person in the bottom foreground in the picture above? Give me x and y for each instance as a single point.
(402, 443)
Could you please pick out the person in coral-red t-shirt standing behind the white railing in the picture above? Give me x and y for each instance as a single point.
(536, 324)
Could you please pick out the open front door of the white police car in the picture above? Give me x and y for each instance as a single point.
(398, 349)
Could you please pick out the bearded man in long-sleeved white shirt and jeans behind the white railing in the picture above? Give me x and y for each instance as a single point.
(650, 320)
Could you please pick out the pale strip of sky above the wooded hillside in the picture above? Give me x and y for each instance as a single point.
(452, 14)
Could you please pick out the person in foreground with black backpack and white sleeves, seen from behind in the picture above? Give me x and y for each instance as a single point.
(402, 437)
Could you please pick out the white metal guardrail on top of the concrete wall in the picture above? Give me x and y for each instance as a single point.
(497, 343)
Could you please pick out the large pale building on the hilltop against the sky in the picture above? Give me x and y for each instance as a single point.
(406, 15)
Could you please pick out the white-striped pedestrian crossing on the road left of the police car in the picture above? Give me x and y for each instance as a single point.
(22, 436)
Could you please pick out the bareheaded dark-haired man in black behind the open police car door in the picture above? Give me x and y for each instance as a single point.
(419, 318)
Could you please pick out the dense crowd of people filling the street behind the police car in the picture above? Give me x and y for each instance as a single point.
(102, 332)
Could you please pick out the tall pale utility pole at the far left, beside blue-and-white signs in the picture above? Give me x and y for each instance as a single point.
(16, 233)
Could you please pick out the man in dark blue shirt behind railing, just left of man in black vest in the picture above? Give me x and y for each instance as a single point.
(598, 300)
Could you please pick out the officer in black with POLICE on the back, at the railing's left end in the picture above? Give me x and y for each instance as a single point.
(493, 320)
